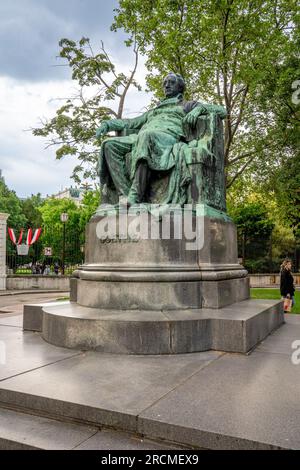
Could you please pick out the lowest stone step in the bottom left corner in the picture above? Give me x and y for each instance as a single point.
(21, 431)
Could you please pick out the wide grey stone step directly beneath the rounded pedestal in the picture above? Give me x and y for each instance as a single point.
(236, 328)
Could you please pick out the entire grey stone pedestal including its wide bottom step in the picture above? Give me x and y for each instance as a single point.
(145, 292)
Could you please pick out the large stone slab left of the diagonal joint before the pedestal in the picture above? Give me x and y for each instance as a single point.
(102, 388)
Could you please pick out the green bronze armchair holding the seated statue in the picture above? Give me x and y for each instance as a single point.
(199, 167)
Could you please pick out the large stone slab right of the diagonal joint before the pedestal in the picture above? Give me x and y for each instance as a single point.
(250, 402)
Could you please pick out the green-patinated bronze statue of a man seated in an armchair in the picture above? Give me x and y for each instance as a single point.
(156, 160)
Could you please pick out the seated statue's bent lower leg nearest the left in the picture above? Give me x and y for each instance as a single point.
(114, 152)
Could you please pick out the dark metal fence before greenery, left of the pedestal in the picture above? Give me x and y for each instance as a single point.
(58, 250)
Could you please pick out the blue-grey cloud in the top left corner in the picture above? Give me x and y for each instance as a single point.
(31, 29)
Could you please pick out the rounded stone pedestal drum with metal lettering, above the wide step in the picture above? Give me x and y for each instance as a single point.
(164, 273)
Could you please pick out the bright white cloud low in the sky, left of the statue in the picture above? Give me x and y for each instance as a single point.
(27, 166)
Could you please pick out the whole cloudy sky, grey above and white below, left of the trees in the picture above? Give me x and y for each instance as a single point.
(31, 81)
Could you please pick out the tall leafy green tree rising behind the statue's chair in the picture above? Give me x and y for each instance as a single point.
(227, 50)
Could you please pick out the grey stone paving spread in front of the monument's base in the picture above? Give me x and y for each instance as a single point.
(55, 398)
